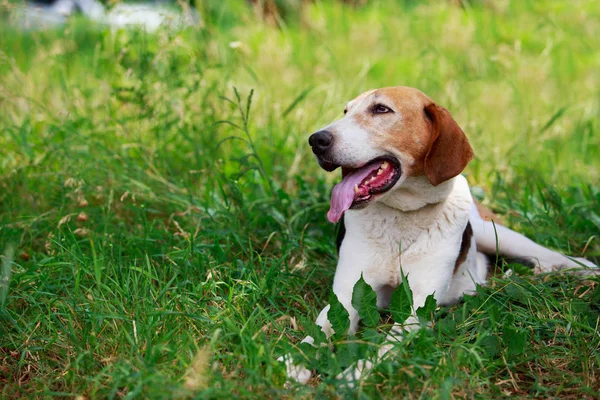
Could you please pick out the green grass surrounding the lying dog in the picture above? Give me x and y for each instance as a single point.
(161, 252)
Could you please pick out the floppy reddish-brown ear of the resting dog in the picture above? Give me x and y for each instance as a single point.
(449, 150)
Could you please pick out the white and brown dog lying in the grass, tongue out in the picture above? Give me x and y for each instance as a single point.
(404, 209)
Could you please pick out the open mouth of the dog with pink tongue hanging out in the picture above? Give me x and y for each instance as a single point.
(361, 185)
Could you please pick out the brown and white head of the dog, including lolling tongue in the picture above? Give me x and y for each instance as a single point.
(386, 136)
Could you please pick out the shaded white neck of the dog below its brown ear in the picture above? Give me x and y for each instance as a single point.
(416, 192)
